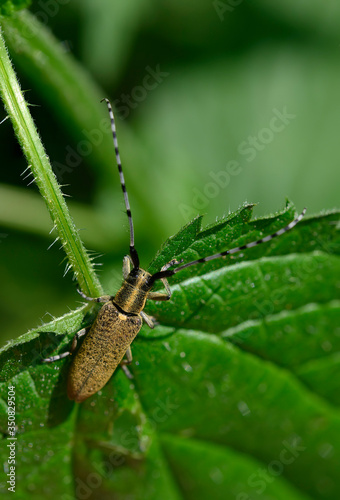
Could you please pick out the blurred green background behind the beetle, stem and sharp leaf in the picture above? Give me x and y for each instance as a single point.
(217, 103)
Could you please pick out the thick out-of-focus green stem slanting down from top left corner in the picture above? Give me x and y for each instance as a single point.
(66, 87)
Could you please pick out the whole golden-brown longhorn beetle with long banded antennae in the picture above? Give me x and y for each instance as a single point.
(121, 316)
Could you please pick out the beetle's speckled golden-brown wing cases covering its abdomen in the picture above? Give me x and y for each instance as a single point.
(101, 352)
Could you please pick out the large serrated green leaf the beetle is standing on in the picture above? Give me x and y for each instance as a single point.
(231, 395)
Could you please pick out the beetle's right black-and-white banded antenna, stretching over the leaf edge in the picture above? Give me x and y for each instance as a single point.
(171, 272)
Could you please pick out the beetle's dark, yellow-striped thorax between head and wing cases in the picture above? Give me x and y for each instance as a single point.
(132, 295)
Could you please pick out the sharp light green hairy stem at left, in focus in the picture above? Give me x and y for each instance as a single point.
(44, 177)
